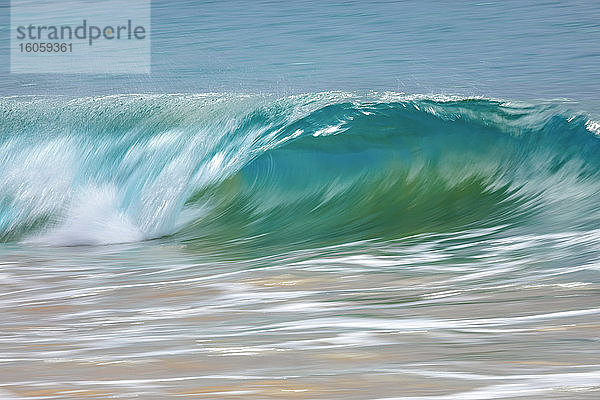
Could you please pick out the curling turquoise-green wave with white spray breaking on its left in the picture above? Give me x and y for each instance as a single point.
(299, 171)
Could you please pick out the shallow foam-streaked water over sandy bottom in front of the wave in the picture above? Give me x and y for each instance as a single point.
(417, 318)
